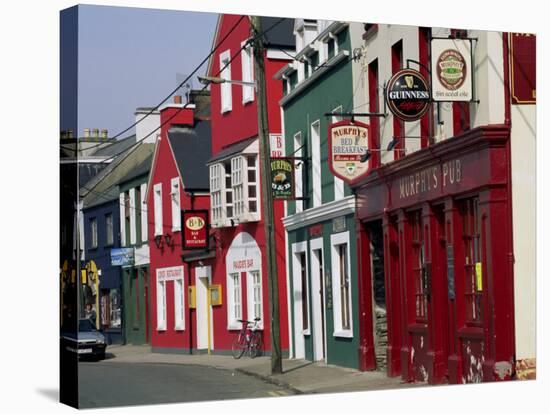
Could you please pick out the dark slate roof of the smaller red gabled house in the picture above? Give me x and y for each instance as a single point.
(192, 149)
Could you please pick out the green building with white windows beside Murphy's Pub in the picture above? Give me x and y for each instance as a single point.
(321, 237)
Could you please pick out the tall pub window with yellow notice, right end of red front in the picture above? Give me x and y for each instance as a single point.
(472, 259)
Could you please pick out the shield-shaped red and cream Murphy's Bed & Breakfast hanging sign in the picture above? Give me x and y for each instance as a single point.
(347, 143)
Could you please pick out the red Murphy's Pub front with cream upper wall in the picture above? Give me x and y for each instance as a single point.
(442, 225)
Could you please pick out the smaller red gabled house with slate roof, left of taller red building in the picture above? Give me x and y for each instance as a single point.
(178, 181)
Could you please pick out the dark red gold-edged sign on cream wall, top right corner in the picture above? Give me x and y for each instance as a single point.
(523, 48)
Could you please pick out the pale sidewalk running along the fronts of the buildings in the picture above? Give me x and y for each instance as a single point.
(300, 376)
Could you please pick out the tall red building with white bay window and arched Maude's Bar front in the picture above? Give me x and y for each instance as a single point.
(240, 264)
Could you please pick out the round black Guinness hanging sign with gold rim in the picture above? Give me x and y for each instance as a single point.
(408, 95)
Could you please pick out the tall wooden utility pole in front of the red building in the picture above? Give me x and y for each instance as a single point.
(267, 196)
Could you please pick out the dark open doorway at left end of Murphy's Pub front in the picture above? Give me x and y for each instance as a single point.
(378, 293)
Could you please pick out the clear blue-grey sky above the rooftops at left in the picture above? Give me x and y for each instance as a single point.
(131, 57)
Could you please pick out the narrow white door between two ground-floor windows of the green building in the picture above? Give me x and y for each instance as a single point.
(318, 300)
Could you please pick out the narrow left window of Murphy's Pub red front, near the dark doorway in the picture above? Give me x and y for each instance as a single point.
(418, 267)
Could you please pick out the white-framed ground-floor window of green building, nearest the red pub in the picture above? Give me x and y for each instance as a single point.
(341, 285)
